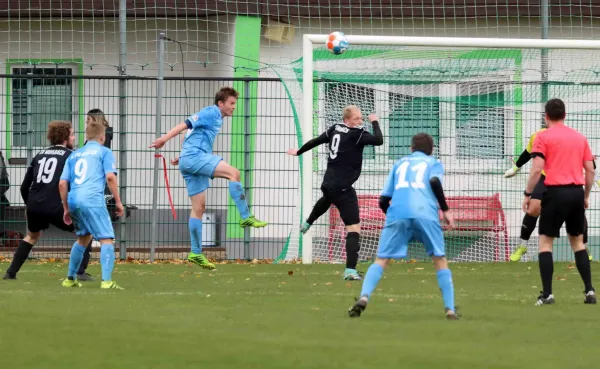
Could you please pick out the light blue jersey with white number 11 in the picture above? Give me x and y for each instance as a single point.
(408, 186)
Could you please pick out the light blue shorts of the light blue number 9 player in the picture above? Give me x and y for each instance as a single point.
(94, 221)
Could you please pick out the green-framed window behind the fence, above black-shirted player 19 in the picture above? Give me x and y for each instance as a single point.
(38, 101)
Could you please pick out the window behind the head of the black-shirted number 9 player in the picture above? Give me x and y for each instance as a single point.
(339, 95)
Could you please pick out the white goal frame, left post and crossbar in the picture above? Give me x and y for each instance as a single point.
(307, 88)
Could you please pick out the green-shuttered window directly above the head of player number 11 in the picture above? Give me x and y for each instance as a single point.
(410, 115)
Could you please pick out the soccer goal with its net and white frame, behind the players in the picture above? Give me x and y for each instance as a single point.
(481, 104)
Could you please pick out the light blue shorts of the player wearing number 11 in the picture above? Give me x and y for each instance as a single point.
(395, 236)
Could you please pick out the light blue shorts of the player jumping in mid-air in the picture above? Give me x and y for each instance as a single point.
(197, 171)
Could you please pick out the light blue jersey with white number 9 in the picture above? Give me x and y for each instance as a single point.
(86, 170)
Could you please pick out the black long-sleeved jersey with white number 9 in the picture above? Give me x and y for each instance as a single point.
(344, 157)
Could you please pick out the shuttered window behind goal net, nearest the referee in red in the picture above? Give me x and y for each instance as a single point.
(480, 120)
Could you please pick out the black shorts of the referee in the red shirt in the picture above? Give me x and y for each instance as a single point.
(562, 204)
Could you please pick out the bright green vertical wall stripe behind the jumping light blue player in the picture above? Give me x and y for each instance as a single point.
(246, 64)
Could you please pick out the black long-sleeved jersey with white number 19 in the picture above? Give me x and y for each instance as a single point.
(39, 189)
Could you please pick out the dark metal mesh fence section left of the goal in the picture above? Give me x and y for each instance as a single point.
(254, 140)
